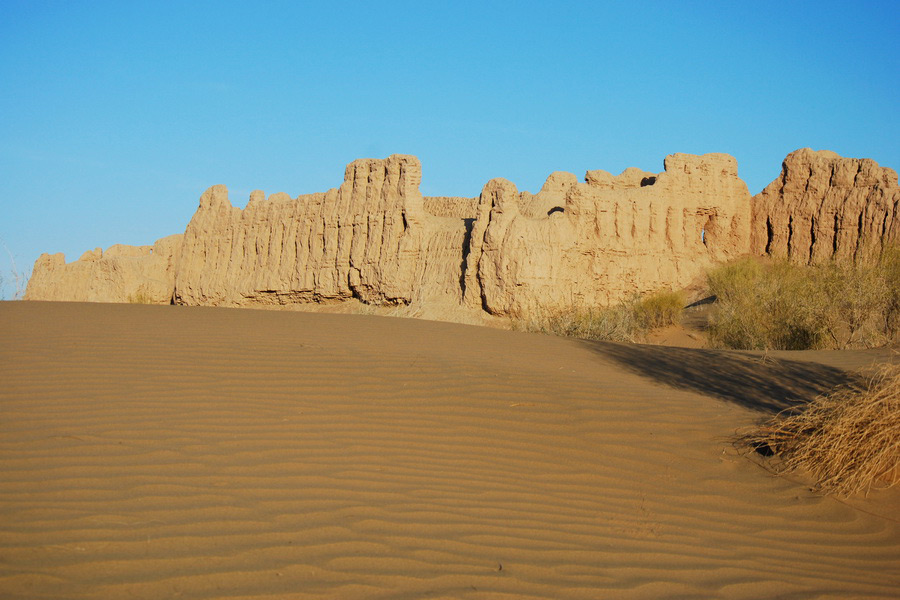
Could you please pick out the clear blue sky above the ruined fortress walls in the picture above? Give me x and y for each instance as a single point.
(114, 117)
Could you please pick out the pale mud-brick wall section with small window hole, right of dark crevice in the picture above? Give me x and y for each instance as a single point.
(601, 241)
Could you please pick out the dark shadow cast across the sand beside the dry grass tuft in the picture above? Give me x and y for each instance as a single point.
(763, 384)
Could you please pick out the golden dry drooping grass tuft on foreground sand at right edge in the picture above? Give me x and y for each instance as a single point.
(848, 441)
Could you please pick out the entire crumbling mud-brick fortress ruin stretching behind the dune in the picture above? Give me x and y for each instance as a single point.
(376, 239)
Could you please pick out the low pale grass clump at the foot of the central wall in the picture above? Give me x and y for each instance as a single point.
(626, 322)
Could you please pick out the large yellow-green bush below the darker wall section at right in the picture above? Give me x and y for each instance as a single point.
(779, 305)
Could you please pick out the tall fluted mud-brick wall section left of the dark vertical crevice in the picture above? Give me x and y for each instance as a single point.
(371, 238)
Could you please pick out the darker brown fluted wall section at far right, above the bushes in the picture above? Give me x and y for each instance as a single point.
(825, 207)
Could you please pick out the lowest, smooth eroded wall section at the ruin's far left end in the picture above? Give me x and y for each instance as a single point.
(121, 274)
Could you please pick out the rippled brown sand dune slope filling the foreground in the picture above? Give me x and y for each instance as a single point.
(164, 452)
